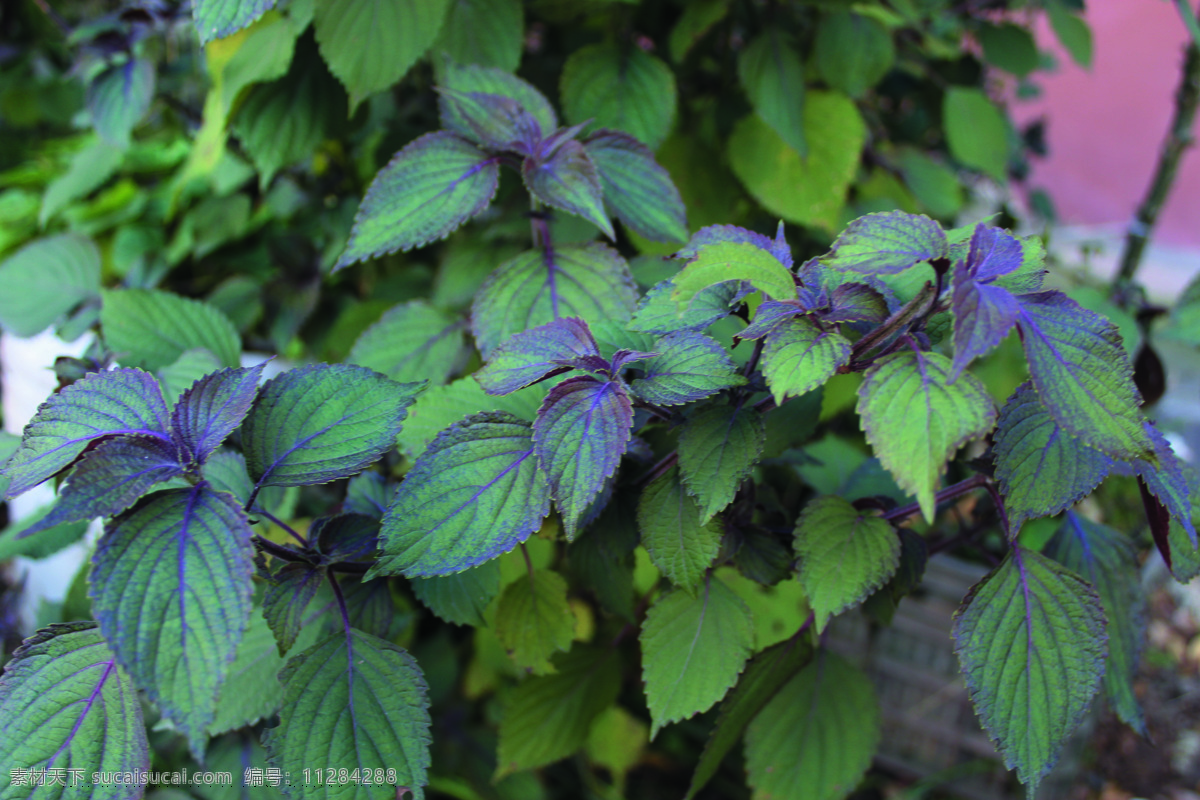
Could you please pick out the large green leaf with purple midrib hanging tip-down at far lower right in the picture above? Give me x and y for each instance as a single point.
(1031, 637)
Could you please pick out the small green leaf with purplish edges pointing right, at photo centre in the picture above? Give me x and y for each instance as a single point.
(688, 368)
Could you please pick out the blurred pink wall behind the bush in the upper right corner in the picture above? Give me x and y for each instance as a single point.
(1106, 125)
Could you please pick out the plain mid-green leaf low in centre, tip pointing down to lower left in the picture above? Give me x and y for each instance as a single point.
(693, 651)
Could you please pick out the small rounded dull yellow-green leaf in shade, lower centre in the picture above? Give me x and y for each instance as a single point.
(533, 621)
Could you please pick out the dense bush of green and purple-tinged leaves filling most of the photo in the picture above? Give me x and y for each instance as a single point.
(593, 496)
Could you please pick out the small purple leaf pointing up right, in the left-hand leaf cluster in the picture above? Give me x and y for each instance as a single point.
(213, 410)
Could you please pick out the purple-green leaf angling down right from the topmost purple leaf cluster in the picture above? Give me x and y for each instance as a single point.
(638, 190)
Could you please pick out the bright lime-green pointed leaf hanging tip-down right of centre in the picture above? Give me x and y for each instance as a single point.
(915, 419)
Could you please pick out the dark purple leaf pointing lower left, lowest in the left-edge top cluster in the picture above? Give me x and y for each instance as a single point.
(110, 479)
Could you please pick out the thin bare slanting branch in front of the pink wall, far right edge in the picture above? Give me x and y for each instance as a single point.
(1179, 139)
